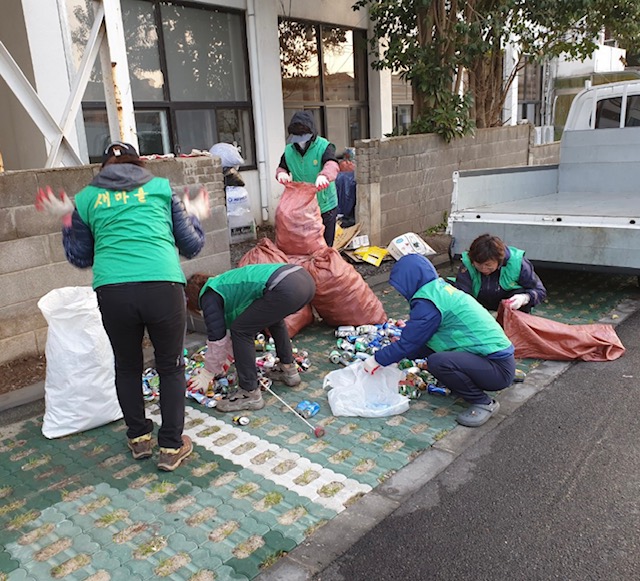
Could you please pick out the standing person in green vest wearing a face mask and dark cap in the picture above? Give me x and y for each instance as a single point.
(312, 159)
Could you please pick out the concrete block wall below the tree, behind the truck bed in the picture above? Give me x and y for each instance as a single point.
(405, 183)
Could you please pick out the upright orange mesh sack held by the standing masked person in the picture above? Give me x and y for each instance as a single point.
(299, 227)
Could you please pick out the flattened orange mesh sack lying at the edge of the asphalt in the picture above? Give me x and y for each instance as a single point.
(539, 338)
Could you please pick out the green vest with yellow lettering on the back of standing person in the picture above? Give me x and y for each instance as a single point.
(132, 232)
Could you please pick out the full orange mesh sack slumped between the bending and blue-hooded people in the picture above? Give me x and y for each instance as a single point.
(342, 295)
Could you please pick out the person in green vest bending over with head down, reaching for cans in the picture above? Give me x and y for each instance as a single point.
(236, 306)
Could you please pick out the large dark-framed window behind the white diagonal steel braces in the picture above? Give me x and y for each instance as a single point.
(189, 77)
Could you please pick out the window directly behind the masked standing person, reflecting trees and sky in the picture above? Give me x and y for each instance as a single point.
(324, 71)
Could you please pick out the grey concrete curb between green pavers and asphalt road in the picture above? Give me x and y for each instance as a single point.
(334, 539)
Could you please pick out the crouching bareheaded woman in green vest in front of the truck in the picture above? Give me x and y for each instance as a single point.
(493, 272)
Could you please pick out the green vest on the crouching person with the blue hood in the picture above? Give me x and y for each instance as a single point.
(466, 325)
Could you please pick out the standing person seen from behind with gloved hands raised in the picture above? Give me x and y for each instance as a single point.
(128, 226)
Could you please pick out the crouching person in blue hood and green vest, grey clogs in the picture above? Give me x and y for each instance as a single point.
(467, 350)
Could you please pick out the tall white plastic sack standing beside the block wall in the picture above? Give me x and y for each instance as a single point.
(79, 388)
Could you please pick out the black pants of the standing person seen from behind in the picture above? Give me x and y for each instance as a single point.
(127, 309)
